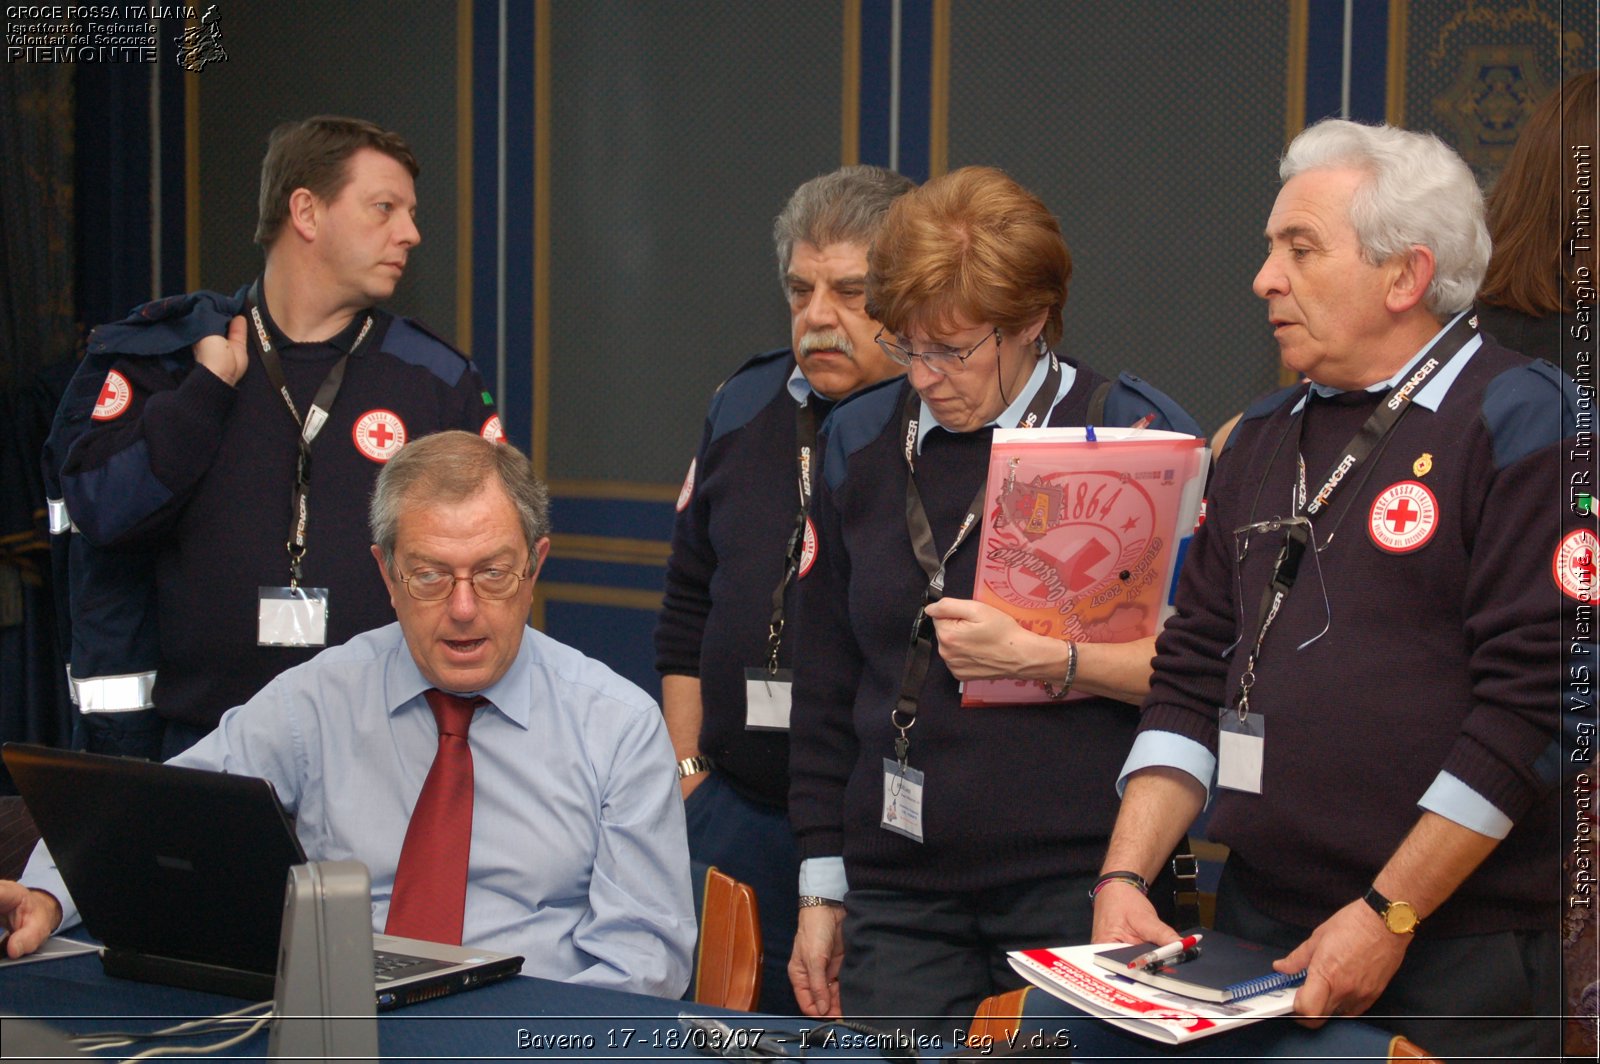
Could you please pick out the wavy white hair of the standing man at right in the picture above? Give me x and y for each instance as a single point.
(1418, 193)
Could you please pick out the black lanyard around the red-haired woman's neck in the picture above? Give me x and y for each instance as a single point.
(921, 654)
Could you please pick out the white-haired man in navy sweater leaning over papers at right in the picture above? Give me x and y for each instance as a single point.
(1390, 556)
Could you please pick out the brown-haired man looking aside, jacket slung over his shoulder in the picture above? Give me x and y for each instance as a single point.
(223, 471)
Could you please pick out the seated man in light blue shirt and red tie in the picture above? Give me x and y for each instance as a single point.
(578, 857)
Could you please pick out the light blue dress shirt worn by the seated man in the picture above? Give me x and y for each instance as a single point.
(580, 858)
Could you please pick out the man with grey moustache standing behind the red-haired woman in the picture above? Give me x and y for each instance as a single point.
(742, 540)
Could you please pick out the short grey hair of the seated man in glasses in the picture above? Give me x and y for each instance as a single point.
(449, 468)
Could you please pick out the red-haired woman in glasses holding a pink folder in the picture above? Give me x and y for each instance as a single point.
(910, 930)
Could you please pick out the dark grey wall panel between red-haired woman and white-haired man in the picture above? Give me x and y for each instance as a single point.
(1153, 130)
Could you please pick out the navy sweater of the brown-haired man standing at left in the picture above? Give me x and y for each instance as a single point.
(202, 474)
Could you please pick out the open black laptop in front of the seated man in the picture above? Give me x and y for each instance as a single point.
(182, 874)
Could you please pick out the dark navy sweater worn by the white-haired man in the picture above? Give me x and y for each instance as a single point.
(1442, 655)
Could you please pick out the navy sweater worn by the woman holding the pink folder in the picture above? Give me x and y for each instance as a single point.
(1014, 793)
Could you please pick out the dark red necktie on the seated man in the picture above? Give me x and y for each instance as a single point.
(430, 898)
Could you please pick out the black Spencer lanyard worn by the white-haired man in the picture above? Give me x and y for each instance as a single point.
(1298, 534)
